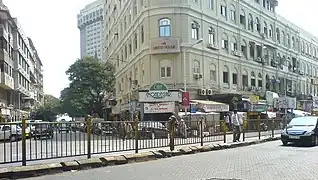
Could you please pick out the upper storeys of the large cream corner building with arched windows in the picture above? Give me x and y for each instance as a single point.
(210, 46)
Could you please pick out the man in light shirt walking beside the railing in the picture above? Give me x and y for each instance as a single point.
(234, 122)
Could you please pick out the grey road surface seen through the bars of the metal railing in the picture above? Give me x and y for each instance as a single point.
(75, 144)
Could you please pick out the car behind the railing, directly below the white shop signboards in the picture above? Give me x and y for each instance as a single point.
(152, 130)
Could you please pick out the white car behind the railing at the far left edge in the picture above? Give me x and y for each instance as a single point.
(10, 132)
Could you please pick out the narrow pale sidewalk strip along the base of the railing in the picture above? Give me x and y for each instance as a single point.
(229, 139)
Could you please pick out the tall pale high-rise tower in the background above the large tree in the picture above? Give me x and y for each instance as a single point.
(90, 23)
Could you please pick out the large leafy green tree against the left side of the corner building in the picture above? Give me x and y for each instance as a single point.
(90, 80)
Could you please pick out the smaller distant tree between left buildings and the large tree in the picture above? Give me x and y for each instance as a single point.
(48, 110)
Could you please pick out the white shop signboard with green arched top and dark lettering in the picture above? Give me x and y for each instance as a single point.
(159, 92)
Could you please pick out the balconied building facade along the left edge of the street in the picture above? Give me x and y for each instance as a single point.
(17, 71)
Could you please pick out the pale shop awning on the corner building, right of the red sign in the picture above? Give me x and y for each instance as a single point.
(211, 106)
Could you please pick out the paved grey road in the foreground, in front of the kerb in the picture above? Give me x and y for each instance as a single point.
(264, 161)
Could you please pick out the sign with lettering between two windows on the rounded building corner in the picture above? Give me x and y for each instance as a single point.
(165, 45)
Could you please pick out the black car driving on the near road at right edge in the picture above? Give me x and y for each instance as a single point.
(302, 130)
